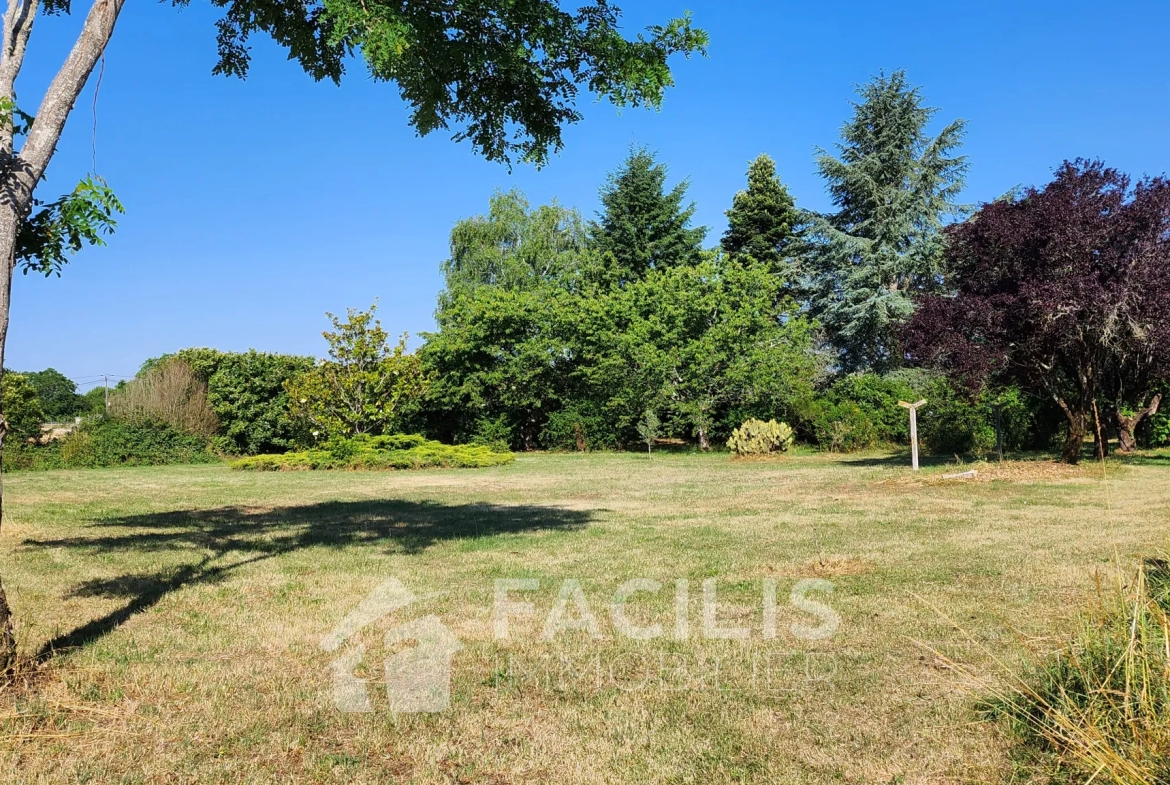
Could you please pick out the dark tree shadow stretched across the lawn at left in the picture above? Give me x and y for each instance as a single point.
(225, 540)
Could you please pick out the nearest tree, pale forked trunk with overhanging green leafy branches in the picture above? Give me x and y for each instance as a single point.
(505, 77)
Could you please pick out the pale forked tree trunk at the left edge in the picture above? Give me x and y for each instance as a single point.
(20, 171)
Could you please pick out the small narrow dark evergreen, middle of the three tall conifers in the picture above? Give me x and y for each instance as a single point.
(763, 222)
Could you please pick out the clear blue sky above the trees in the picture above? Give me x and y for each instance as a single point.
(253, 208)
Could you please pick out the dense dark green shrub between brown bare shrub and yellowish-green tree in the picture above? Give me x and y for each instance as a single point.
(247, 392)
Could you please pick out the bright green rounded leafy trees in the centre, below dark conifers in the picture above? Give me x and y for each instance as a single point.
(553, 360)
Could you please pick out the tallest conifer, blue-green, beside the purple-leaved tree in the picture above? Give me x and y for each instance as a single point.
(894, 188)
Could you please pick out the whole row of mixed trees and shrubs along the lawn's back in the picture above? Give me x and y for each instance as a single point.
(1044, 311)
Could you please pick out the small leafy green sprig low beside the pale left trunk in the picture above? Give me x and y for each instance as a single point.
(63, 228)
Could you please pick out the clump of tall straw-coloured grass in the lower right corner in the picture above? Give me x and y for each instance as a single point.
(1098, 711)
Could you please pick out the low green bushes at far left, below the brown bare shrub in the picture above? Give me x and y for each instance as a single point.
(111, 442)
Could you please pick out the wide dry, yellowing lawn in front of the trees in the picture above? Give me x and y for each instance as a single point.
(177, 615)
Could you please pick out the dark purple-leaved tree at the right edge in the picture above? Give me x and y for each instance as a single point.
(1064, 291)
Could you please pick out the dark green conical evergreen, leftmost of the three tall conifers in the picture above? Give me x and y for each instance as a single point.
(643, 226)
